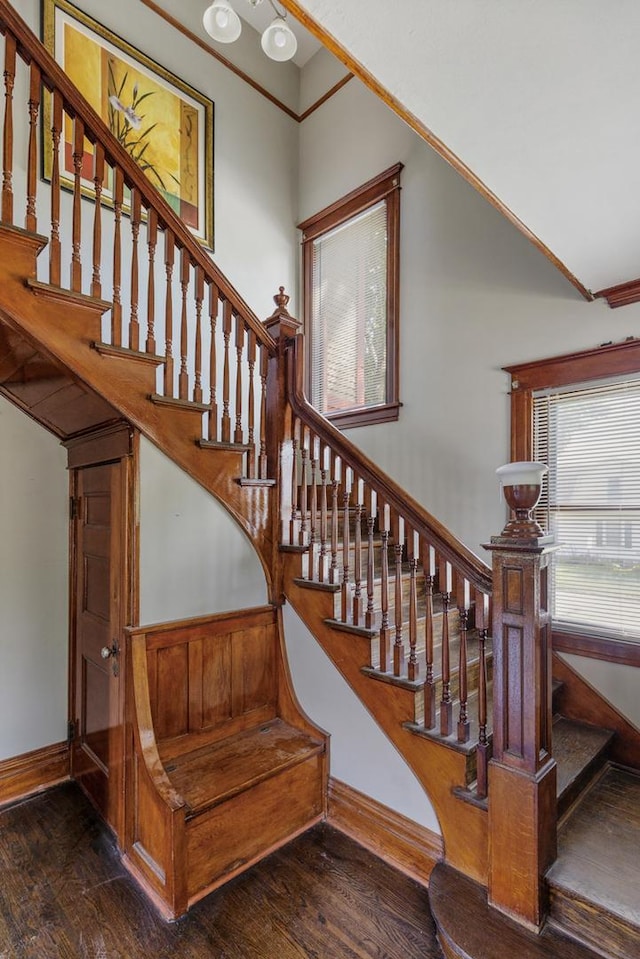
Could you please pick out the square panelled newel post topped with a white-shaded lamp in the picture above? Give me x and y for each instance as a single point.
(522, 772)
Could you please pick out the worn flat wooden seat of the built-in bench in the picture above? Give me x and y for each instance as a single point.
(211, 774)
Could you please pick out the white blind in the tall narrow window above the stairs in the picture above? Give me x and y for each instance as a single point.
(349, 313)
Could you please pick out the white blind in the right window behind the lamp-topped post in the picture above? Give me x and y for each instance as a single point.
(590, 438)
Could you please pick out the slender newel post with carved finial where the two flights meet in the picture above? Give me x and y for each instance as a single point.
(283, 328)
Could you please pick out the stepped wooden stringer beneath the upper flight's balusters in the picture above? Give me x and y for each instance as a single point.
(67, 330)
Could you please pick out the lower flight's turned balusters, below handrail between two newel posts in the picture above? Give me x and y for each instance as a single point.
(428, 620)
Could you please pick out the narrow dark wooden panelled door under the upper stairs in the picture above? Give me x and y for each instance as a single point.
(100, 611)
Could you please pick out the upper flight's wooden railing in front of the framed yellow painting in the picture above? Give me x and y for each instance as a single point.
(111, 236)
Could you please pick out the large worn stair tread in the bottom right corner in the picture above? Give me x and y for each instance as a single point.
(599, 858)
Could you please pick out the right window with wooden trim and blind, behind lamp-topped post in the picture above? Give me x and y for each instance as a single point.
(580, 414)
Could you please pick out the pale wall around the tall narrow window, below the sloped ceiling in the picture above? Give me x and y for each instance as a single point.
(475, 295)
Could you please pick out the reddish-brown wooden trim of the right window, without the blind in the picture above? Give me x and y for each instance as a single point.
(612, 359)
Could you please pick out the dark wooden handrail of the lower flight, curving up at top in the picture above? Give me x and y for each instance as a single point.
(463, 559)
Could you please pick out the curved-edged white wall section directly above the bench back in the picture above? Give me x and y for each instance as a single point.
(194, 558)
